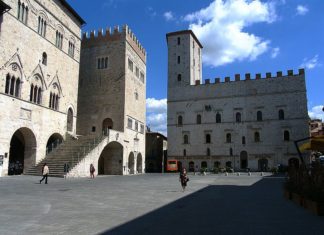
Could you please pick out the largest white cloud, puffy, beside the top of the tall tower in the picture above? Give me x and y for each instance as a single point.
(220, 28)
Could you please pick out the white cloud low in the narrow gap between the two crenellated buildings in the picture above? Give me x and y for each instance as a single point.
(156, 115)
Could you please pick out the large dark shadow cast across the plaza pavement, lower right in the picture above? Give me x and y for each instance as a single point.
(223, 209)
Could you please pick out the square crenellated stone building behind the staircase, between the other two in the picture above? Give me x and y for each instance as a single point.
(112, 96)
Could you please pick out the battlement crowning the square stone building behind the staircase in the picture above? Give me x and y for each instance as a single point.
(109, 35)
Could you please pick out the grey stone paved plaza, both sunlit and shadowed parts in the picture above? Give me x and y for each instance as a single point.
(151, 204)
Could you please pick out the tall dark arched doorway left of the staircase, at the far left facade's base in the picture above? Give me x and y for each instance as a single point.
(22, 153)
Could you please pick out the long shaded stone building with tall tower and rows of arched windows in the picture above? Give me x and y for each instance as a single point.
(239, 123)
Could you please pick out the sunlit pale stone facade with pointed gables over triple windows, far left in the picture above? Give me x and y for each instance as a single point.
(39, 70)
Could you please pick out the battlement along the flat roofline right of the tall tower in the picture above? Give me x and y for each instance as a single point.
(258, 76)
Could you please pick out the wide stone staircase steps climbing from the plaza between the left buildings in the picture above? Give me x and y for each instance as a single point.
(71, 151)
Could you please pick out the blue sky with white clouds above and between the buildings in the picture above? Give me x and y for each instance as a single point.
(238, 36)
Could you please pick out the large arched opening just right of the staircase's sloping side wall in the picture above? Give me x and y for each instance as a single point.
(111, 160)
